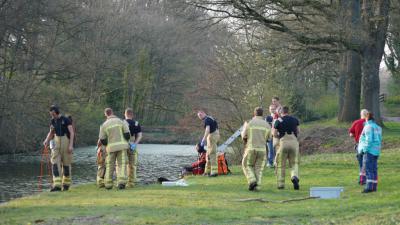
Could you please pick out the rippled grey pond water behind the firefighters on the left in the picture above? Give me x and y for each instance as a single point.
(19, 174)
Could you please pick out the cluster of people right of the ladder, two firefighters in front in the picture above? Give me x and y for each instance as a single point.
(279, 130)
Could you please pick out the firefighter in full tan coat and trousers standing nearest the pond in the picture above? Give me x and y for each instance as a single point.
(114, 134)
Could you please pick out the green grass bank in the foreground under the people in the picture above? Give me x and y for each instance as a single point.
(211, 200)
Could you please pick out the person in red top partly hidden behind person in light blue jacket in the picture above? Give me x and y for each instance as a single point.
(355, 132)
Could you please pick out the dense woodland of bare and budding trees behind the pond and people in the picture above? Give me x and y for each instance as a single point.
(167, 58)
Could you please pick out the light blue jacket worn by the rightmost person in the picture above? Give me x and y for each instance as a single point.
(370, 139)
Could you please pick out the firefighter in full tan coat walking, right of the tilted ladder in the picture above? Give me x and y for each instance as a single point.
(255, 134)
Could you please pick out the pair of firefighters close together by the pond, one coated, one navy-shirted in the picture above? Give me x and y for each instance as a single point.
(117, 149)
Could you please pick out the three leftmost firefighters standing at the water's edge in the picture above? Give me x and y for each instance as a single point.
(117, 149)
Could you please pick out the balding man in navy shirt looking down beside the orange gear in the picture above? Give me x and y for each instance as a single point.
(211, 135)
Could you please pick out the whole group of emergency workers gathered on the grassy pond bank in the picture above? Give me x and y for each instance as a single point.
(118, 141)
